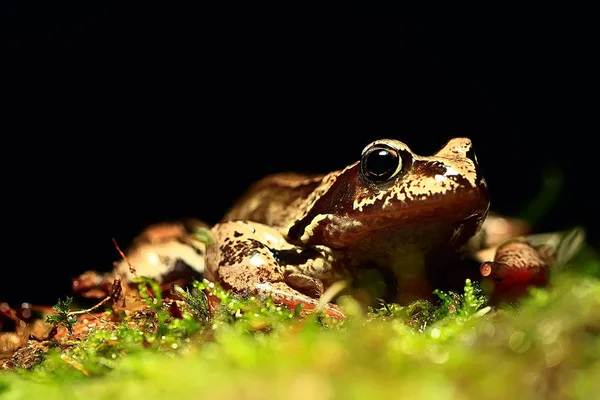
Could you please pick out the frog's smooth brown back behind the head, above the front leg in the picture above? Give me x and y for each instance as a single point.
(275, 200)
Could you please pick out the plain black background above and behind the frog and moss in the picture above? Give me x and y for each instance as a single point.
(117, 115)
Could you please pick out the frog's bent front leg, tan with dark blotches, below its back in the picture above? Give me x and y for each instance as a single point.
(251, 258)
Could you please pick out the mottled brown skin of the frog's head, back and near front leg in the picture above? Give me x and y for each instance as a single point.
(412, 224)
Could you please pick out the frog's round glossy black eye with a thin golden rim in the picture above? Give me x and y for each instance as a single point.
(380, 163)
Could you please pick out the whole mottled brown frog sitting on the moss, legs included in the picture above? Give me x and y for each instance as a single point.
(414, 222)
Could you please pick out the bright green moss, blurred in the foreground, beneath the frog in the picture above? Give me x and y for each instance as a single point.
(546, 347)
